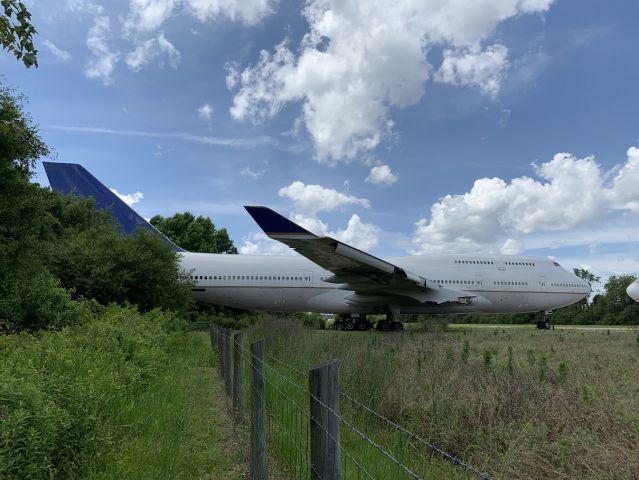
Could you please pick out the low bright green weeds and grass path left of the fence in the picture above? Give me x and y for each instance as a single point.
(120, 395)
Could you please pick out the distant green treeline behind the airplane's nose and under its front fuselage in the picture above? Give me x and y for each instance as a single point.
(611, 307)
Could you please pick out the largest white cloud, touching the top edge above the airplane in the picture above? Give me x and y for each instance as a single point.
(359, 60)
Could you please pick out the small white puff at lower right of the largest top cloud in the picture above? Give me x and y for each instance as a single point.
(475, 68)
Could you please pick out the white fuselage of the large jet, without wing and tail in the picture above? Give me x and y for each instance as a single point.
(494, 283)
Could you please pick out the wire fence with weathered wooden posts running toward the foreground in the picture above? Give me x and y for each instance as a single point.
(296, 419)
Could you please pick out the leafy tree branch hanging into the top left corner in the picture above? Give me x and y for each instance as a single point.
(16, 32)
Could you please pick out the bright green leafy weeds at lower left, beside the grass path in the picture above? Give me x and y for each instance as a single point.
(62, 391)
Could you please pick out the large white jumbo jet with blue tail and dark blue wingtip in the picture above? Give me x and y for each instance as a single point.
(329, 276)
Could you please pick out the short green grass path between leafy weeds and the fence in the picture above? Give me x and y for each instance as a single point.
(180, 427)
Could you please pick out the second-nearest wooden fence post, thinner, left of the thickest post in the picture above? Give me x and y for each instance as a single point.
(258, 413)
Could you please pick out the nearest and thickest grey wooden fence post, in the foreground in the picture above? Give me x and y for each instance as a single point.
(325, 421)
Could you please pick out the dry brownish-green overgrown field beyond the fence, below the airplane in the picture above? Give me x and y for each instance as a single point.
(514, 402)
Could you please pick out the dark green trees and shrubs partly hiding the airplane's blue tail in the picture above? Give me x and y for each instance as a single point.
(53, 248)
